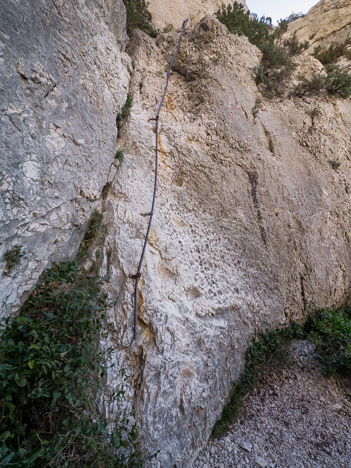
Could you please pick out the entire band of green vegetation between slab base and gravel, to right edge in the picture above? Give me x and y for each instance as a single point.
(329, 329)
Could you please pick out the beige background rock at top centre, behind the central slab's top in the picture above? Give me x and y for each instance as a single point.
(171, 14)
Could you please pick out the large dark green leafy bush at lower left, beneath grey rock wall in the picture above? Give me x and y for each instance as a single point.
(52, 376)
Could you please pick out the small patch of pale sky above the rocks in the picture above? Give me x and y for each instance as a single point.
(277, 9)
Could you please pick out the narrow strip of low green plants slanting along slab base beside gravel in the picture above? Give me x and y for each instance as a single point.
(267, 351)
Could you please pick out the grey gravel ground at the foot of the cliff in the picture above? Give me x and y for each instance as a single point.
(296, 418)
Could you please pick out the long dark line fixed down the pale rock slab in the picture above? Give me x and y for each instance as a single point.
(137, 276)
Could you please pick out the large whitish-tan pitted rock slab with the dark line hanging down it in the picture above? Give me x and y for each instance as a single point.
(251, 226)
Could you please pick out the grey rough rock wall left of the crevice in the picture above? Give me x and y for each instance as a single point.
(63, 78)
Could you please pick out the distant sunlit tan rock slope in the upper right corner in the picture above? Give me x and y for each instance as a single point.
(326, 23)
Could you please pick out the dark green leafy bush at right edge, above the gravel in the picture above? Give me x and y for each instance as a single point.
(331, 331)
